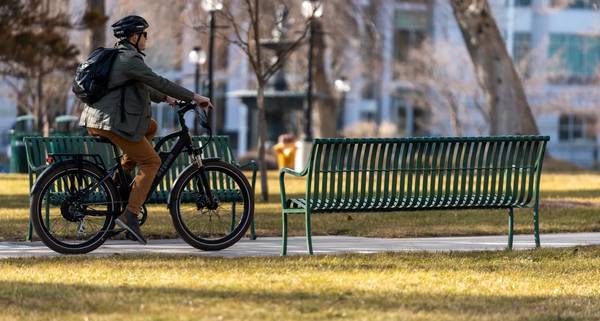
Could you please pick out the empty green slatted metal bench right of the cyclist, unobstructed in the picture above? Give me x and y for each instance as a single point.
(411, 174)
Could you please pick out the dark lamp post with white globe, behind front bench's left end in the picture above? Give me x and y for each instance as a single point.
(311, 10)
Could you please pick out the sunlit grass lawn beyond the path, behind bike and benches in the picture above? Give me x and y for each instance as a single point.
(570, 203)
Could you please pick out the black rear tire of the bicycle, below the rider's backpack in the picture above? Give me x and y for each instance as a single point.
(43, 184)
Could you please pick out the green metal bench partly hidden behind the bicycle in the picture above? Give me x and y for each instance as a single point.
(38, 148)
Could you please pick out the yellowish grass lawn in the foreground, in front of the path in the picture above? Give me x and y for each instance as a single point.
(523, 285)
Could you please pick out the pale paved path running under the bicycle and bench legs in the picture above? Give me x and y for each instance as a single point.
(270, 246)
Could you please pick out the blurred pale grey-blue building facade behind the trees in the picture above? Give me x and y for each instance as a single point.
(559, 47)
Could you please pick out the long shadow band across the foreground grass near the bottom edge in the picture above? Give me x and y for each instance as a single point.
(49, 297)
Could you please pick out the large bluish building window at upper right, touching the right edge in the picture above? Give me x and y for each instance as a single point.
(578, 57)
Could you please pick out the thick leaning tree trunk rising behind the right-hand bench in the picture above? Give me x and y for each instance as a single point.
(510, 113)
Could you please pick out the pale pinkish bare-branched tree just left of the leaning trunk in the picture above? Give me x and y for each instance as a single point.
(441, 79)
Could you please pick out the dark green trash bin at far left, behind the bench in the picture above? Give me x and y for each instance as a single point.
(18, 157)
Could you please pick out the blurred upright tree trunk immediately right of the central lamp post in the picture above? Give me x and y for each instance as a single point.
(326, 108)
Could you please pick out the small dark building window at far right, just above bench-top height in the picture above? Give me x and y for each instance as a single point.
(573, 127)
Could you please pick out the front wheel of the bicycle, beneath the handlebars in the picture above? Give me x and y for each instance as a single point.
(216, 224)
